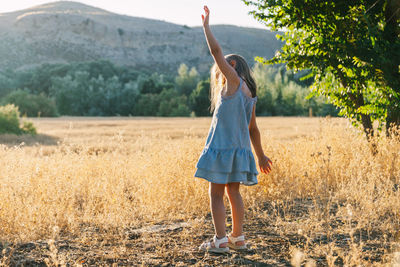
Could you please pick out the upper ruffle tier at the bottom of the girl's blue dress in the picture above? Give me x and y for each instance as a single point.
(227, 160)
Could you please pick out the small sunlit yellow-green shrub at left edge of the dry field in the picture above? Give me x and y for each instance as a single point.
(10, 122)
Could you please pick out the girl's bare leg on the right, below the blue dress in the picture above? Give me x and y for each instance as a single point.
(237, 209)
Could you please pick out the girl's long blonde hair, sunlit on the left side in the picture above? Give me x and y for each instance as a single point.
(218, 80)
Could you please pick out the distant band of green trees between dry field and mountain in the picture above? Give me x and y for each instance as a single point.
(101, 88)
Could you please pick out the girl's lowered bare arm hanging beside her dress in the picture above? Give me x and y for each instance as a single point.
(263, 161)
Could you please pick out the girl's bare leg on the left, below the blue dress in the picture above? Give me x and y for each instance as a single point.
(217, 192)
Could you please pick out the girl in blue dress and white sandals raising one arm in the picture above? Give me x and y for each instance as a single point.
(227, 160)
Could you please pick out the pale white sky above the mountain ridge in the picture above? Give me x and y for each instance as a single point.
(177, 11)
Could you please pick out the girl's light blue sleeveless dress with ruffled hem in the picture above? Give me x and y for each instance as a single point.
(227, 155)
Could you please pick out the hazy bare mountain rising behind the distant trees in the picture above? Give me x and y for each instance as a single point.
(67, 31)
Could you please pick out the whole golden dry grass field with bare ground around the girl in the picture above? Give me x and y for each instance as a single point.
(121, 191)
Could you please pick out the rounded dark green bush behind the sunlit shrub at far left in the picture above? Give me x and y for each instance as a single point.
(31, 105)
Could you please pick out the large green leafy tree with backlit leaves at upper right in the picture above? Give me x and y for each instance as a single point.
(352, 48)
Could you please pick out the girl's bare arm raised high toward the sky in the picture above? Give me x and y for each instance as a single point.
(227, 70)
